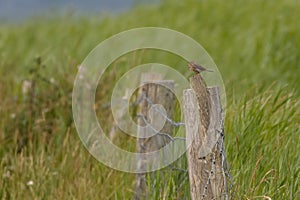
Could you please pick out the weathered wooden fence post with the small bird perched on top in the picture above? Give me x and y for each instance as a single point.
(204, 132)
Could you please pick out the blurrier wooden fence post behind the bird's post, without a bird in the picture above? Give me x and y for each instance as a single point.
(157, 94)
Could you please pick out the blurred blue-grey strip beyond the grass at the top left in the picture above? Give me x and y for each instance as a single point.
(18, 10)
